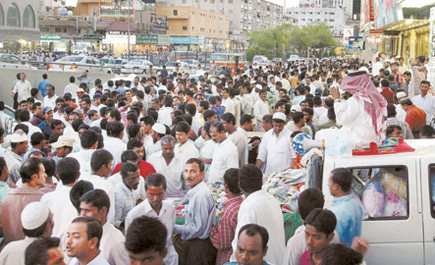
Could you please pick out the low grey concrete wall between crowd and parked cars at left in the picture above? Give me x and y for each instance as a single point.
(58, 79)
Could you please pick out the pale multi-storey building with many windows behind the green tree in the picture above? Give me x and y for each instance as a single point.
(244, 15)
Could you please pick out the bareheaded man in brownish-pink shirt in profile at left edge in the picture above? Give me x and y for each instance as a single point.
(33, 177)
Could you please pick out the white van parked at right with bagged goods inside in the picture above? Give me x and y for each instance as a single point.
(401, 227)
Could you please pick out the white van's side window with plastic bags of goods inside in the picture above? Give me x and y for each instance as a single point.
(383, 191)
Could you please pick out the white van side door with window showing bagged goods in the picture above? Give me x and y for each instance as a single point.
(395, 228)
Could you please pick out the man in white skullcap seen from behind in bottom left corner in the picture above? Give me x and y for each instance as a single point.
(36, 223)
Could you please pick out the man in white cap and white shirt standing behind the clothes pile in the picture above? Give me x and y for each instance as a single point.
(276, 150)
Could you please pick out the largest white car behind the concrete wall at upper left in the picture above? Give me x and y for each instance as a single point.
(77, 63)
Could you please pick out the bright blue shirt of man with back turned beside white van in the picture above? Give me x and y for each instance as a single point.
(349, 215)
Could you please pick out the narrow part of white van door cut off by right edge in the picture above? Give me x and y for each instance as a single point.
(428, 199)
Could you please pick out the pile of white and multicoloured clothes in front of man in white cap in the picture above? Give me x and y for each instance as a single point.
(285, 186)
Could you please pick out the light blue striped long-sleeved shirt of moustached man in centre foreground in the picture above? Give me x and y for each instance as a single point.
(200, 213)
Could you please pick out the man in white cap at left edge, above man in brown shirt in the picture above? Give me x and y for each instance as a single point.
(14, 157)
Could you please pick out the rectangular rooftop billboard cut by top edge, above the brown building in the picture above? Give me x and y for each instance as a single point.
(110, 9)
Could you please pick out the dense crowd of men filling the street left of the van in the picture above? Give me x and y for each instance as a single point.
(85, 173)
